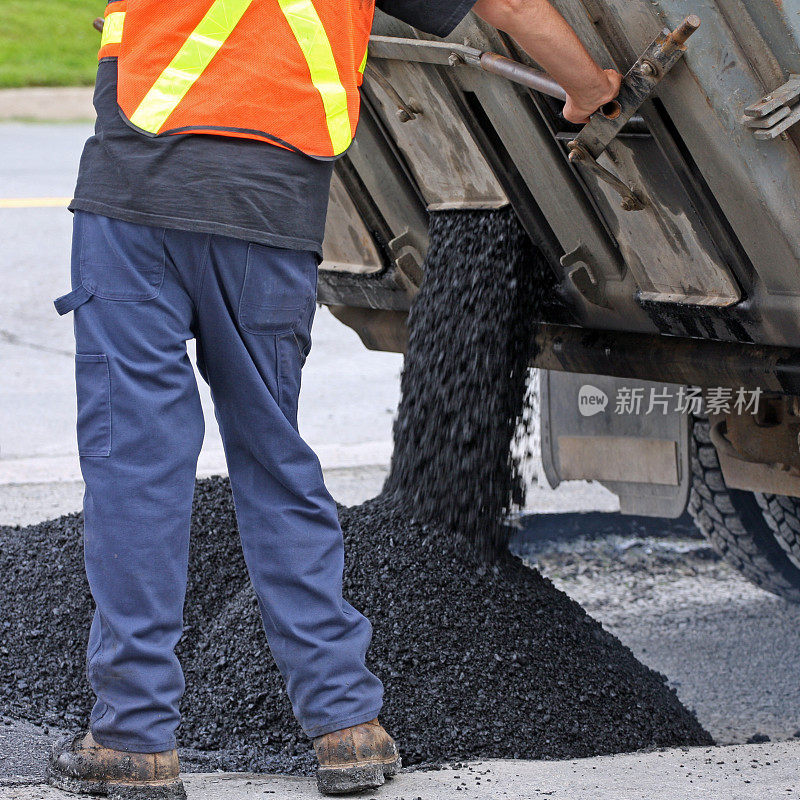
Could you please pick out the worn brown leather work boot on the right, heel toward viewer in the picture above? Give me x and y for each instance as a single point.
(356, 758)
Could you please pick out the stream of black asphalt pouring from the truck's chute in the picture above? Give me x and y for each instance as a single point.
(465, 376)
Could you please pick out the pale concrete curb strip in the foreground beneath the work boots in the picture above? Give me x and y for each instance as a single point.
(741, 772)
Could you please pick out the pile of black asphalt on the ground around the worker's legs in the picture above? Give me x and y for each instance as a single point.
(478, 661)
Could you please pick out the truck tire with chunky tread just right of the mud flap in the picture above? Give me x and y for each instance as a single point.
(735, 524)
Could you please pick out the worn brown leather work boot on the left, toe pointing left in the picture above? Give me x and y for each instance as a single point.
(79, 764)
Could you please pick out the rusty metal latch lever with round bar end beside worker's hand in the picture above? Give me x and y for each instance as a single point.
(638, 84)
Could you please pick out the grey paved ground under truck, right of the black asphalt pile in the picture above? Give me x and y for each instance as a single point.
(730, 650)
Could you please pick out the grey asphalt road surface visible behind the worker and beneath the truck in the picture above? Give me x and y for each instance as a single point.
(730, 650)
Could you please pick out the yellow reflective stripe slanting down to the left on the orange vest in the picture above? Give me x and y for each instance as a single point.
(188, 64)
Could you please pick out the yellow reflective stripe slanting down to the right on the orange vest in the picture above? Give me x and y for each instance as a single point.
(310, 34)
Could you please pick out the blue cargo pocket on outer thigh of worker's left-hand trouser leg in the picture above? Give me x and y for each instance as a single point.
(93, 384)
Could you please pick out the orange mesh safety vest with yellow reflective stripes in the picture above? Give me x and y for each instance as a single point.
(280, 71)
